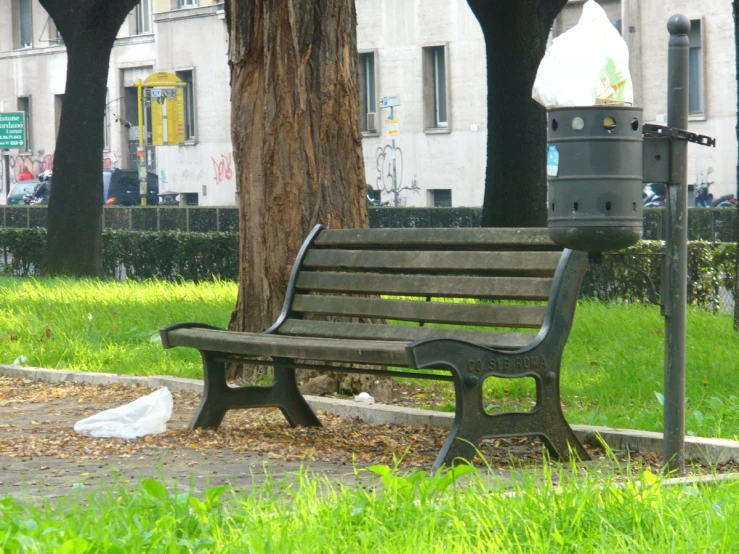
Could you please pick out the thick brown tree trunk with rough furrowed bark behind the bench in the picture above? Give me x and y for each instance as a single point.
(296, 138)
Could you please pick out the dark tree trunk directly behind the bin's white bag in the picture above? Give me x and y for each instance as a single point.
(516, 33)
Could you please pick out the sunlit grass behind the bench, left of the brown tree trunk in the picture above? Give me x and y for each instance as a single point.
(109, 326)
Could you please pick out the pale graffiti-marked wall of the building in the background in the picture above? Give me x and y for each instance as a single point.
(397, 31)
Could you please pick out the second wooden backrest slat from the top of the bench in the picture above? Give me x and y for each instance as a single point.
(489, 263)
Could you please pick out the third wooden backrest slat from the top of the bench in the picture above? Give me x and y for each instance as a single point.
(512, 288)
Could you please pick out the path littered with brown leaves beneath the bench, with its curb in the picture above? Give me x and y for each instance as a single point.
(41, 456)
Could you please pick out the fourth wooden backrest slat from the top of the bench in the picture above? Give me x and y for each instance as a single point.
(429, 312)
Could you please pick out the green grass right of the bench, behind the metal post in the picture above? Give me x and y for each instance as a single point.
(613, 369)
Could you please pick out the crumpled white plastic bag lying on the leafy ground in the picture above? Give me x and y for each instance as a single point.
(147, 415)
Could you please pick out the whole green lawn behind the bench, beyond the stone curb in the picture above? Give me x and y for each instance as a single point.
(612, 366)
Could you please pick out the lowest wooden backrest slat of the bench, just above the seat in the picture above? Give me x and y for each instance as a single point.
(403, 333)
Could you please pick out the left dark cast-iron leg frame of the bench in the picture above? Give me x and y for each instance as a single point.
(219, 397)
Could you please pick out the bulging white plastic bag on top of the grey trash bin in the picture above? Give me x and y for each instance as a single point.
(587, 65)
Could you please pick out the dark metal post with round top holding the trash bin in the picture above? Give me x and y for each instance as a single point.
(676, 258)
